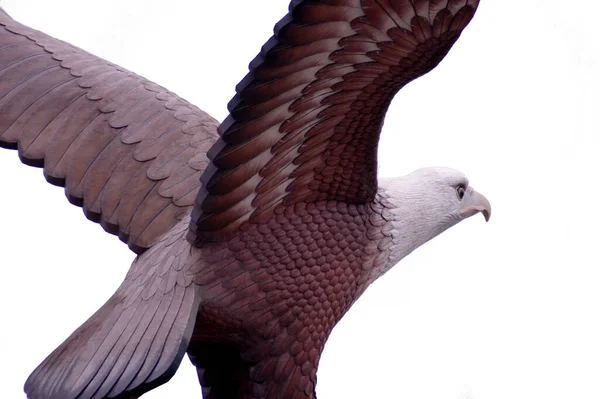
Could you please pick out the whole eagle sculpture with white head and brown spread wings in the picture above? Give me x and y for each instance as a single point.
(254, 236)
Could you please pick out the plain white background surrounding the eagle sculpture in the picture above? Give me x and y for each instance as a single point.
(496, 311)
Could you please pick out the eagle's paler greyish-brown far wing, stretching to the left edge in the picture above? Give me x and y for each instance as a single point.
(125, 149)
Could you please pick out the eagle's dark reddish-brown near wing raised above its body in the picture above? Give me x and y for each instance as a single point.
(305, 122)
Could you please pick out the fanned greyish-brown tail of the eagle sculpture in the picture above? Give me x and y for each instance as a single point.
(134, 343)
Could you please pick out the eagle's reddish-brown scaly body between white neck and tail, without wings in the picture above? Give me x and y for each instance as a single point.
(279, 288)
